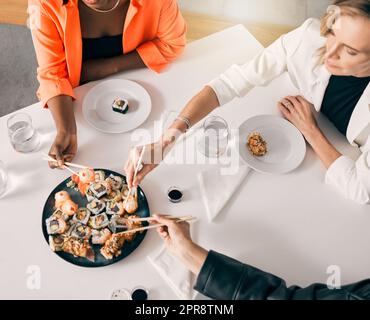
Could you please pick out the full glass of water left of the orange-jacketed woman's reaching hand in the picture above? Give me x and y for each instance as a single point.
(23, 137)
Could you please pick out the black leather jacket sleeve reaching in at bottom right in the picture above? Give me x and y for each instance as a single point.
(223, 278)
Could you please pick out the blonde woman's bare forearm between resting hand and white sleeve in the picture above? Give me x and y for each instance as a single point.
(322, 147)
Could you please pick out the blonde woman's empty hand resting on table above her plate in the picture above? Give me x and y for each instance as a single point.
(299, 112)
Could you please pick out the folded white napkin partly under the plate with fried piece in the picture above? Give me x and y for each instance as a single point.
(216, 188)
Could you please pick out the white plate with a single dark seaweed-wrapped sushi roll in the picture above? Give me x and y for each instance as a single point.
(97, 106)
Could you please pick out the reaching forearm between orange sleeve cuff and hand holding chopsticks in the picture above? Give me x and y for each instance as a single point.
(61, 108)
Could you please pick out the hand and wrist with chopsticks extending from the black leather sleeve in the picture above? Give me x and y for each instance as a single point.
(176, 236)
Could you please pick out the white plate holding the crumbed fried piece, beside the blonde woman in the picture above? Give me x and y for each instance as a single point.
(286, 147)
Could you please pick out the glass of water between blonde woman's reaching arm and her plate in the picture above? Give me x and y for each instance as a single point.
(215, 137)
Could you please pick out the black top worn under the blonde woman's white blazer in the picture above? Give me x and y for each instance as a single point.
(341, 98)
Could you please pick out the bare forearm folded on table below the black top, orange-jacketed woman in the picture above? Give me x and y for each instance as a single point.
(100, 68)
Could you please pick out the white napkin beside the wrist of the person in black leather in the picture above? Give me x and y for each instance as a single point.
(174, 273)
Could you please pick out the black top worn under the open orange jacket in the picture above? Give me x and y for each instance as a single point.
(104, 47)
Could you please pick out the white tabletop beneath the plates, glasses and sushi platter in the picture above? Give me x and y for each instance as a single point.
(293, 225)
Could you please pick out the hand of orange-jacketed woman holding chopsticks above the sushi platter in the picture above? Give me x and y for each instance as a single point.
(63, 149)
